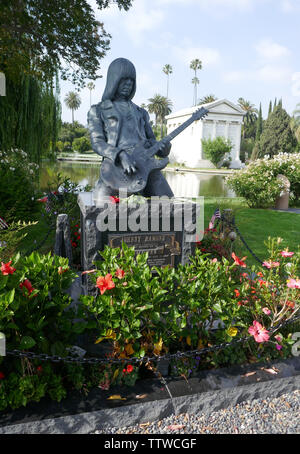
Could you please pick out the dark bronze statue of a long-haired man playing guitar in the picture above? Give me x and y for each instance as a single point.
(118, 127)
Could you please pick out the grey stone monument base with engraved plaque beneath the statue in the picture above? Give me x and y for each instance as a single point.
(165, 229)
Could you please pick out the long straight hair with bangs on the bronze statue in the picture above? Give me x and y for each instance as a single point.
(117, 70)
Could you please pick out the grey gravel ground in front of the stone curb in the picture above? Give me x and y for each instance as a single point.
(260, 416)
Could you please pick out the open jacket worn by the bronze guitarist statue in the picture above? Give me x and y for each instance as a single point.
(104, 122)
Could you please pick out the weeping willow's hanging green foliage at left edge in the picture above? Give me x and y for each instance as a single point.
(30, 116)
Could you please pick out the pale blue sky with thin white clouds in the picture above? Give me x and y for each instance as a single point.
(248, 48)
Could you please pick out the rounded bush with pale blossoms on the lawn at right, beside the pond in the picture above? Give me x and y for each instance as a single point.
(258, 184)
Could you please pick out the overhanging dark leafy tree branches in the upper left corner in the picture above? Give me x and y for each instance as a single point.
(39, 37)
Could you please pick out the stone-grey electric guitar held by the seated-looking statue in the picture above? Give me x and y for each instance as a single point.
(145, 162)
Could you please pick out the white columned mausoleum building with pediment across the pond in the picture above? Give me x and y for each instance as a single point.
(224, 119)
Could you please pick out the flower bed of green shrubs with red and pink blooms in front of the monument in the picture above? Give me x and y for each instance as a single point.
(195, 307)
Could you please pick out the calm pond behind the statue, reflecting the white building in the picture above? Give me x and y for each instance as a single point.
(183, 184)
